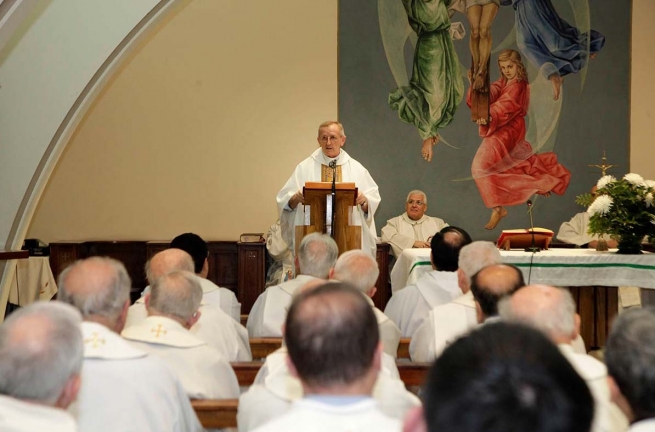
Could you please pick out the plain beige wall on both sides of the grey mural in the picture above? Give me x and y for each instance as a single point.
(203, 126)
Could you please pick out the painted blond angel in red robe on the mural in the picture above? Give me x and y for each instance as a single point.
(505, 167)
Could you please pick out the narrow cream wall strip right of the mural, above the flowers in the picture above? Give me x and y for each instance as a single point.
(642, 92)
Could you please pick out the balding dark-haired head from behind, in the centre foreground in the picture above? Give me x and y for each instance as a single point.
(332, 336)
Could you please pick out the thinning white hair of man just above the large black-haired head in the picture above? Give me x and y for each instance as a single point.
(556, 318)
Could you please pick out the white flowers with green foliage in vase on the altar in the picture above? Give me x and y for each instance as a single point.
(623, 209)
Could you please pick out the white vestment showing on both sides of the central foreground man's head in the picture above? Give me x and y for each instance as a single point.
(274, 390)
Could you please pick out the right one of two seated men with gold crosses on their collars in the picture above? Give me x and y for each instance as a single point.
(173, 307)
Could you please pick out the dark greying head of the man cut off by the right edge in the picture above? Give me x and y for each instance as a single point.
(630, 360)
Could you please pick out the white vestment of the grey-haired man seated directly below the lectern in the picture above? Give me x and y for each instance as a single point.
(270, 309)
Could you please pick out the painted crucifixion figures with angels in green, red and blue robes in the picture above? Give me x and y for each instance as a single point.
(513, 161)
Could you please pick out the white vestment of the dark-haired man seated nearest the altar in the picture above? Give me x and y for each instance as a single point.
(410, 307)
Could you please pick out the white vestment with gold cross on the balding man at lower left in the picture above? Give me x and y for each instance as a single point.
(125, 389)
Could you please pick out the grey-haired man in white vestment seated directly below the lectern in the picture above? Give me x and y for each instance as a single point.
(317, 254)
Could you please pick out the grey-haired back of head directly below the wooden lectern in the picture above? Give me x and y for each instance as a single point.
(317, 254)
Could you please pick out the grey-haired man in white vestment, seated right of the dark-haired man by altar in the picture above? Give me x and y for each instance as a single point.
(447, 322)
